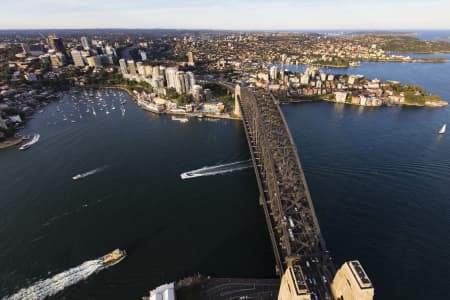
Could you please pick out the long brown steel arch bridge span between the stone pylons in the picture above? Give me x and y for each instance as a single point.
(290, 216)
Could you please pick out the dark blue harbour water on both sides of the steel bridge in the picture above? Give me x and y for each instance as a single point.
(379, 179)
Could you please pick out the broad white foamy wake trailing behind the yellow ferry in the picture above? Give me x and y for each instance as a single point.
(51, 286)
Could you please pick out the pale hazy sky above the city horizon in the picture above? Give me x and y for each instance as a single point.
(229, 14)
